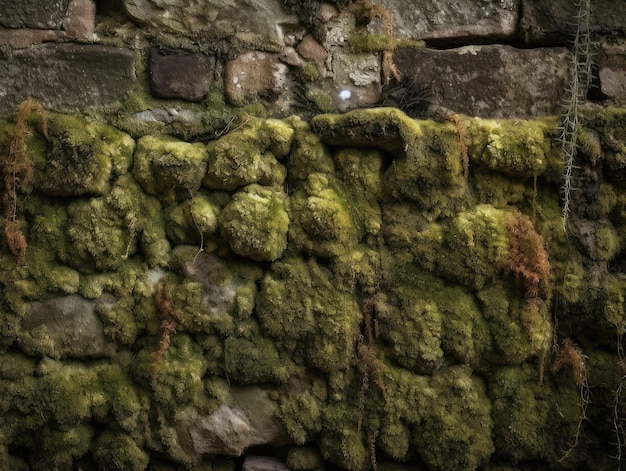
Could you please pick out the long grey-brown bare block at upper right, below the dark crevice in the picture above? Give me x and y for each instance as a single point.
(489, 81)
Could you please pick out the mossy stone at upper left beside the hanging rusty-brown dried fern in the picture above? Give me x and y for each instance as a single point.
(82, 157)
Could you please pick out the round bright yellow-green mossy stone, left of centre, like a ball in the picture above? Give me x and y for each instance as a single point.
(255, 223)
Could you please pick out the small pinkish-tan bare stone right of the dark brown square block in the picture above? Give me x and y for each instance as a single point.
(254, 75)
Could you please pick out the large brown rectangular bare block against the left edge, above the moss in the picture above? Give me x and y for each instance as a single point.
(66, 77)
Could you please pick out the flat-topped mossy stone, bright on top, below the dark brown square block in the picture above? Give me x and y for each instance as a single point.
(169, 168)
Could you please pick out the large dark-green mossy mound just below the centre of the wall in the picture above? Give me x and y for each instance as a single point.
(299, 306)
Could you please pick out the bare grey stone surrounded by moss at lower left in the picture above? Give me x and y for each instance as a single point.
(66, 326)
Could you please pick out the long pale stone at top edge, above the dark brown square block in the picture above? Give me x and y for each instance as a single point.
(251, 22)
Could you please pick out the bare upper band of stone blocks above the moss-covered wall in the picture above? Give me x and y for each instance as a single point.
(152, 63)
